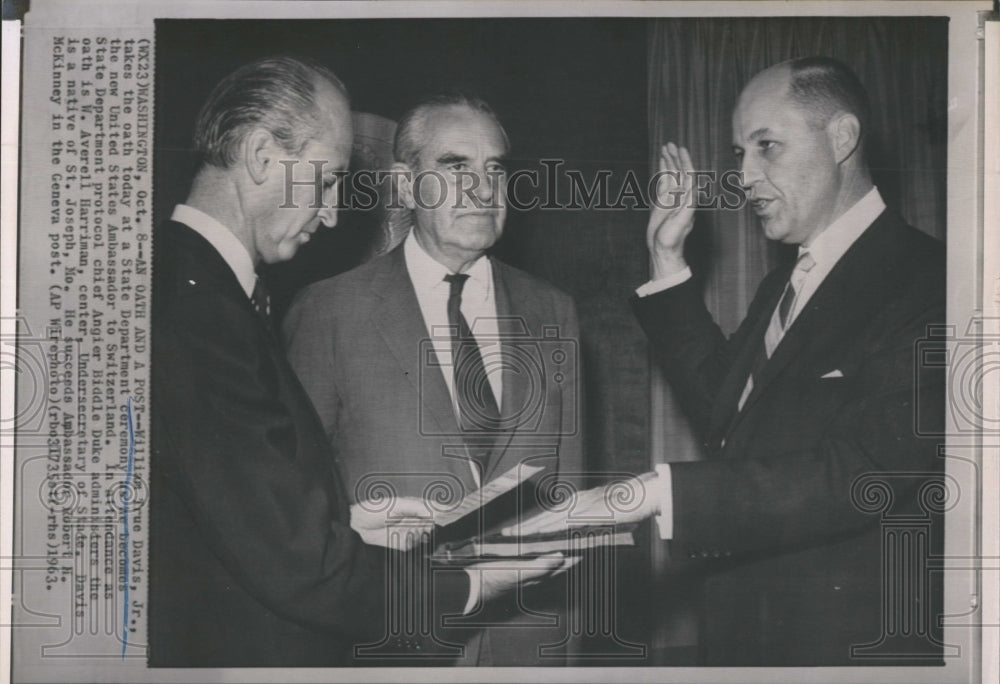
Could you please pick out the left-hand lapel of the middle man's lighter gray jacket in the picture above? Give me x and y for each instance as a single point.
(398, 319)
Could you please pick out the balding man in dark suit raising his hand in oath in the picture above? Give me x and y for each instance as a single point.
(809, 411)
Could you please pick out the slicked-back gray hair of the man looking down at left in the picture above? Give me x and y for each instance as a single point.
(277, 94)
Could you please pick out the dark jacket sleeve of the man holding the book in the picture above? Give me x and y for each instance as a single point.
(264, 500)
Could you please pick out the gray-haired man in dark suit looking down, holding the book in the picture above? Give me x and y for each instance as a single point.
(253, 562)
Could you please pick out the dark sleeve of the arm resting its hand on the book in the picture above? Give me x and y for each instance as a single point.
(739, 505)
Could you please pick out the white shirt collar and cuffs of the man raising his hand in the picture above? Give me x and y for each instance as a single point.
(826, 250)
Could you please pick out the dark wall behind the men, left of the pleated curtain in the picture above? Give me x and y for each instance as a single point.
(570, 89)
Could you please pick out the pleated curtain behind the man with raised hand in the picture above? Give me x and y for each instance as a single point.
(696, 70)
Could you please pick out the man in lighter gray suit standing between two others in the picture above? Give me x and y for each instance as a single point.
(436, 367)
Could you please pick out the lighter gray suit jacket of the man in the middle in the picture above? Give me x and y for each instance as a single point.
(359, 343)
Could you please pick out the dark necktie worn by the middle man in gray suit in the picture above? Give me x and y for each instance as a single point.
(477, 407)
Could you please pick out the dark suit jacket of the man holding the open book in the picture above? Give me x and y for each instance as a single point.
(252, 560)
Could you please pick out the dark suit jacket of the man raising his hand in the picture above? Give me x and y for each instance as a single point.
(793, 560)
